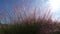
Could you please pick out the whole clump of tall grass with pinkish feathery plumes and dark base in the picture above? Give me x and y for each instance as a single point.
(22, 22)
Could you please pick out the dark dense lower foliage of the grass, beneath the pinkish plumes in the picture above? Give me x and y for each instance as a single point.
(31, 28)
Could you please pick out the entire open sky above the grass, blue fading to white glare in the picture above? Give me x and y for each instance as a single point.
(6, 6)
